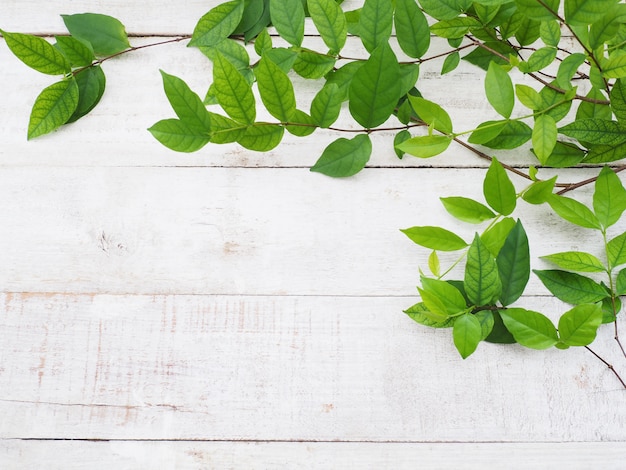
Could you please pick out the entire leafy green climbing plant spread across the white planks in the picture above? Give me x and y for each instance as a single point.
(574, 115)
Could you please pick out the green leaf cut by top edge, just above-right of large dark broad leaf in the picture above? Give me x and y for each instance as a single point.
(412, 29)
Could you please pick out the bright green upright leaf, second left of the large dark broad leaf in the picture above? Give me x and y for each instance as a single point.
(276, 90)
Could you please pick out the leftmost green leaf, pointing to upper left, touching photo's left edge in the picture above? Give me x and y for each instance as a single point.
(37, 53)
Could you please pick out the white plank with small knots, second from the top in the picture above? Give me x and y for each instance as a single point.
(238, 231)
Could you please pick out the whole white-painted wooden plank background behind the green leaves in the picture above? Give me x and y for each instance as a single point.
(229, 309)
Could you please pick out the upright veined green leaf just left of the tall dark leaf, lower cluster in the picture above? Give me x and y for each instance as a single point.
(482, 282)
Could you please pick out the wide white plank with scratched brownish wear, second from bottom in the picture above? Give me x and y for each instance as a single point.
(285, 368)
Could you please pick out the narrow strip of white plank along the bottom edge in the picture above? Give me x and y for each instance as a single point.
(68, 455)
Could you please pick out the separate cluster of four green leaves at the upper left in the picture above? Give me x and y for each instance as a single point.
(75, 59)
